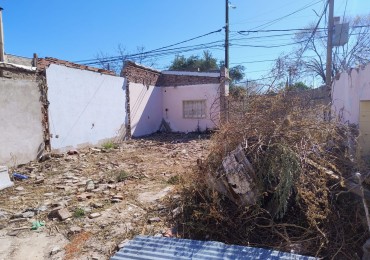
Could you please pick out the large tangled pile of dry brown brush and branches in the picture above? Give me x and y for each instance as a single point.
(302, 163)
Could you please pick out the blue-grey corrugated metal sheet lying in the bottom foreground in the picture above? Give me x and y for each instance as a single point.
(156, 248)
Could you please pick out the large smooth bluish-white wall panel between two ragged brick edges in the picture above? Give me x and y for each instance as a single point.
(85, 107)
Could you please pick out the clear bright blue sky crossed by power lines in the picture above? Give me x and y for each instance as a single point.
(78, 30)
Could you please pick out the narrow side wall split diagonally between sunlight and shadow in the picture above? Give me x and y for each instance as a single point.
(145, 109)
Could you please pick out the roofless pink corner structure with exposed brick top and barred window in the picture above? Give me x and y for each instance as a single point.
(182, 101)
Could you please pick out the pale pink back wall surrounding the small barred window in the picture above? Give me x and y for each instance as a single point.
(173, 98)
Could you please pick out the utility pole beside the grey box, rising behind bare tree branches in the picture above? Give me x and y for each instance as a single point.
(329, 54)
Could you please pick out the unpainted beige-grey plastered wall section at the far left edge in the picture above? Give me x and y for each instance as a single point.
(21, 135)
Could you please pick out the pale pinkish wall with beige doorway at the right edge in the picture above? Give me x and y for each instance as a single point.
(351, 101)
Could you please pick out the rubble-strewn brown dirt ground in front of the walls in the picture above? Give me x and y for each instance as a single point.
(107, 195)
